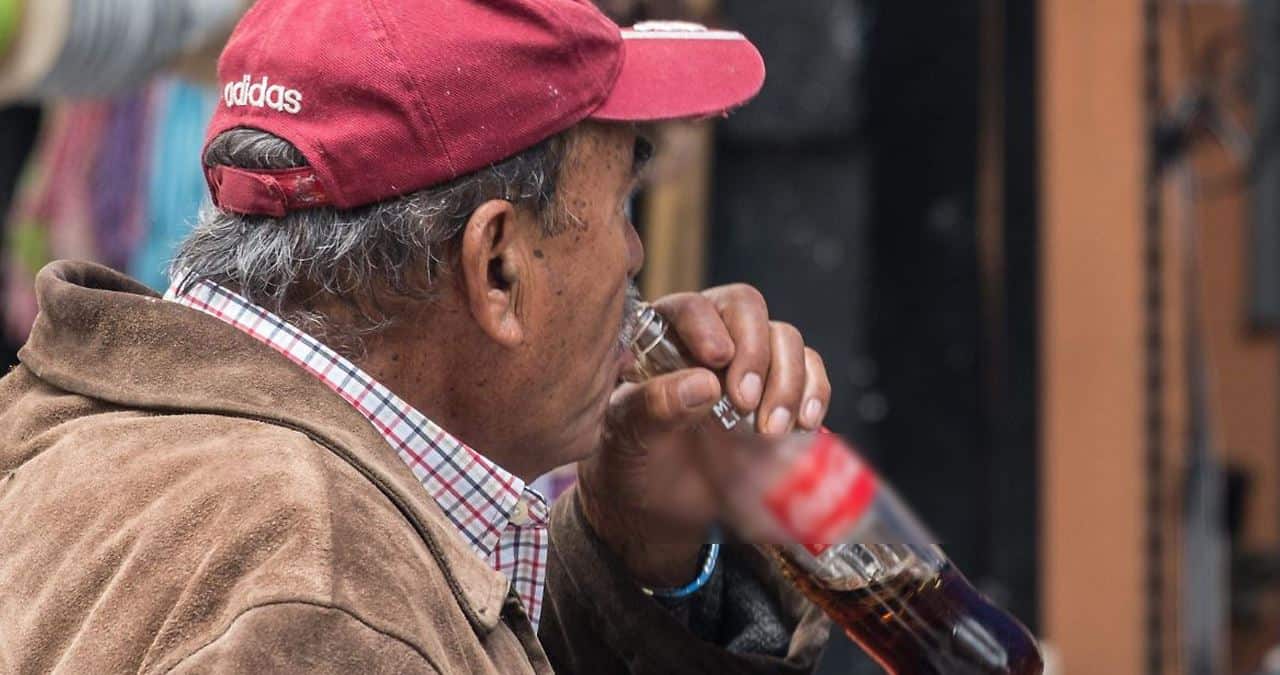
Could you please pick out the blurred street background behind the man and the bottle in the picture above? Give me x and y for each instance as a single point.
(1037, 243)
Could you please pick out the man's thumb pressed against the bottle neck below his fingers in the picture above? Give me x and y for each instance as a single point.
(666, 403)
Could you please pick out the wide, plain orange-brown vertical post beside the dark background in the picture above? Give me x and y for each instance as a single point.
(1094, 143)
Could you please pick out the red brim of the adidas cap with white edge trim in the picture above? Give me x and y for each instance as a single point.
(675, 75)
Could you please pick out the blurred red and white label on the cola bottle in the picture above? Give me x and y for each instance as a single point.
(825, 494)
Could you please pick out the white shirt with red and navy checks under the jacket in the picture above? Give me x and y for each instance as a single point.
(502, 519)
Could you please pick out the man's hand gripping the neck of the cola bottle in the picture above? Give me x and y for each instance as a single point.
(651, 494)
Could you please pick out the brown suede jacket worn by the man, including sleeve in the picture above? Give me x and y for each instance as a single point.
(176, 496)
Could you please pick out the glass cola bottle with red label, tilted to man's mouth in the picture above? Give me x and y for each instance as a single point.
(849, 544)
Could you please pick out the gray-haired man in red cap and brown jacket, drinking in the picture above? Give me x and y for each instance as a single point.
(410, 300)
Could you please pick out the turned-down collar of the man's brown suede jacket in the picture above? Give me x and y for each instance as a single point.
(106, 336)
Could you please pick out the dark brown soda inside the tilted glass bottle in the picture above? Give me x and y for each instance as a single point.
(926, 624)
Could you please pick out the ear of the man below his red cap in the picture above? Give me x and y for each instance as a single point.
(495, 272)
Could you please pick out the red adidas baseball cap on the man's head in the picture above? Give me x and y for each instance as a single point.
(390, 97)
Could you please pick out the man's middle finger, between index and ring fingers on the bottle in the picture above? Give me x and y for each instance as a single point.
(747, 318)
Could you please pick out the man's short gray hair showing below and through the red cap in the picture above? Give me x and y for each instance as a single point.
(399, 247)
